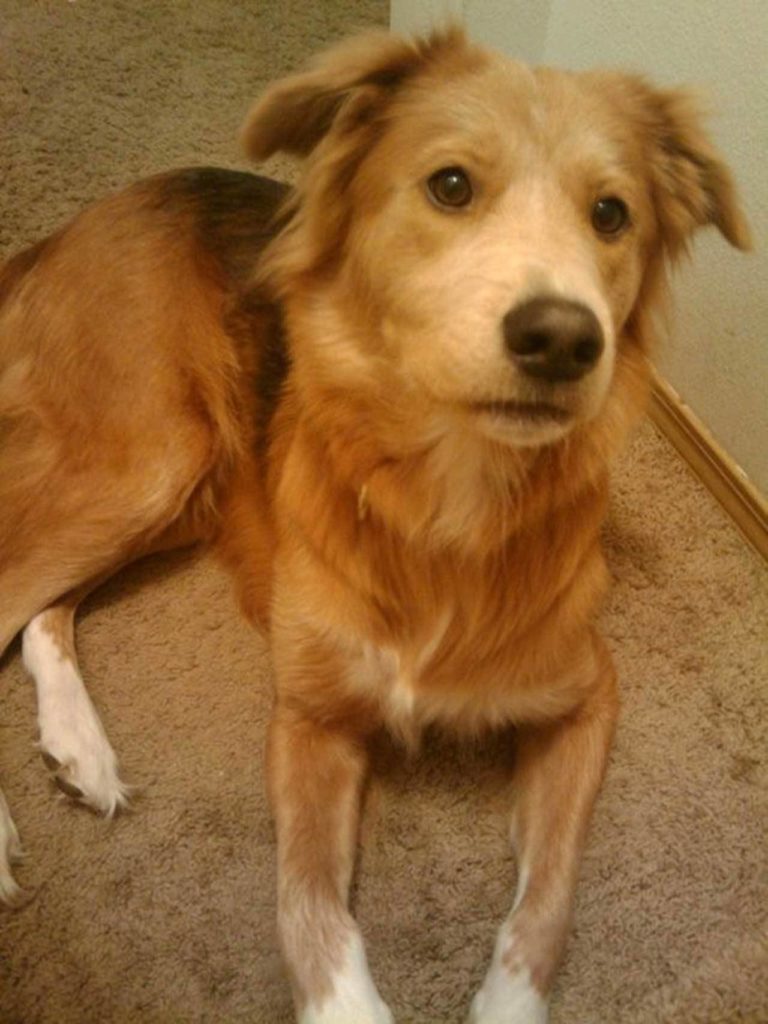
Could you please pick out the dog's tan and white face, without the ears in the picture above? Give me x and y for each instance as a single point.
(504, 239)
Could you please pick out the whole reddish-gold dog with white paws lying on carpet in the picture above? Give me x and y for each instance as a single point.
(390, 399)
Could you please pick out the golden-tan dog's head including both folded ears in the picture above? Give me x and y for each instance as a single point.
(494, 234)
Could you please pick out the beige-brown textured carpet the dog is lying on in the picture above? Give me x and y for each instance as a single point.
(166, 916)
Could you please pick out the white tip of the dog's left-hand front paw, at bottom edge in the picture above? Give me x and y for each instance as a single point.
(354, 999)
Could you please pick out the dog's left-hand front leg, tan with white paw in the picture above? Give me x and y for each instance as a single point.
(316, 779)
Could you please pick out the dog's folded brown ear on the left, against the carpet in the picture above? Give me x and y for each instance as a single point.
(295, 114)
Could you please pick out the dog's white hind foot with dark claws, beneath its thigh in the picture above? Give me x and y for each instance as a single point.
(73, 742)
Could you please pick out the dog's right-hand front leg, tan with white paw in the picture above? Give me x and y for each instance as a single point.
(559, 774)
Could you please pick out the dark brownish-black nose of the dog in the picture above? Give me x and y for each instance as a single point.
(553, 339)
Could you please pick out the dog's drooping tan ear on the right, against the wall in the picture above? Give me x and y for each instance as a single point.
(694, 185)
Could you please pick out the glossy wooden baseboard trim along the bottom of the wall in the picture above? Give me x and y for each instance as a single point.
(711, 463)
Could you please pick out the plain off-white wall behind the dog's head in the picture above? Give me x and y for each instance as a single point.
(717, 357)
